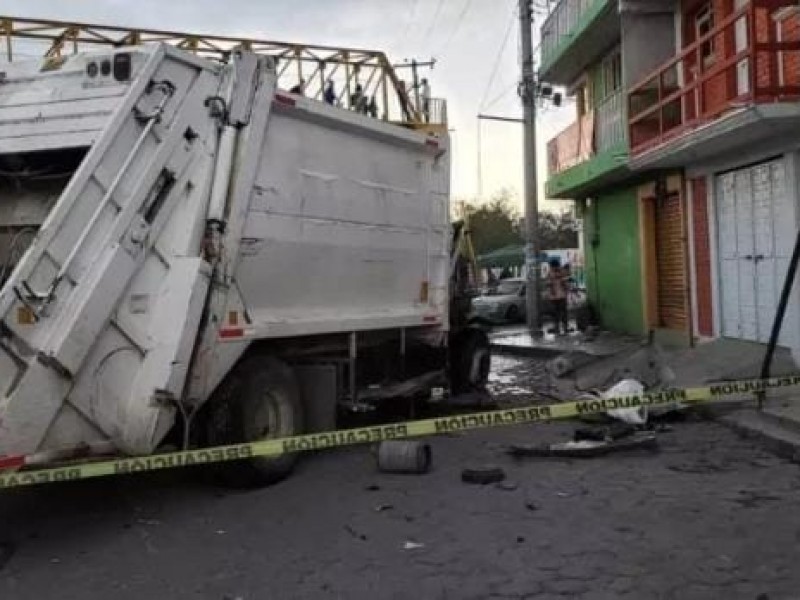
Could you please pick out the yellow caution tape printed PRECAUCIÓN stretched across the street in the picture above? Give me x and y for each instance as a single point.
(379, 433)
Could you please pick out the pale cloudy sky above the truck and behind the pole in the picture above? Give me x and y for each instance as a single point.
(475, 44)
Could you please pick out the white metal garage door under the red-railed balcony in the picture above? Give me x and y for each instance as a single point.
(756, 230)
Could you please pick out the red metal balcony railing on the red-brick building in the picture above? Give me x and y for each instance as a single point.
(736, 64)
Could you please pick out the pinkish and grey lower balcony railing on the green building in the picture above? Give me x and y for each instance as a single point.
(598, 131)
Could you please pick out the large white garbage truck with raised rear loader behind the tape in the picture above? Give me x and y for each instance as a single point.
(191, 256)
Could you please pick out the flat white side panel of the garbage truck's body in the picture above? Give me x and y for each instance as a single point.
(343, 224)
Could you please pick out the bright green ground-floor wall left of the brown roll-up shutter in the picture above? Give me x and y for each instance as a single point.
(613, 261)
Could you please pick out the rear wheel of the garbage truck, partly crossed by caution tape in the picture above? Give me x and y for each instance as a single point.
(259, 399)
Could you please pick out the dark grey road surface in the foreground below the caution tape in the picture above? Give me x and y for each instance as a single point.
(709, 516)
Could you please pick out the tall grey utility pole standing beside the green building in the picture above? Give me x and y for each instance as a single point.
(527, 92)
